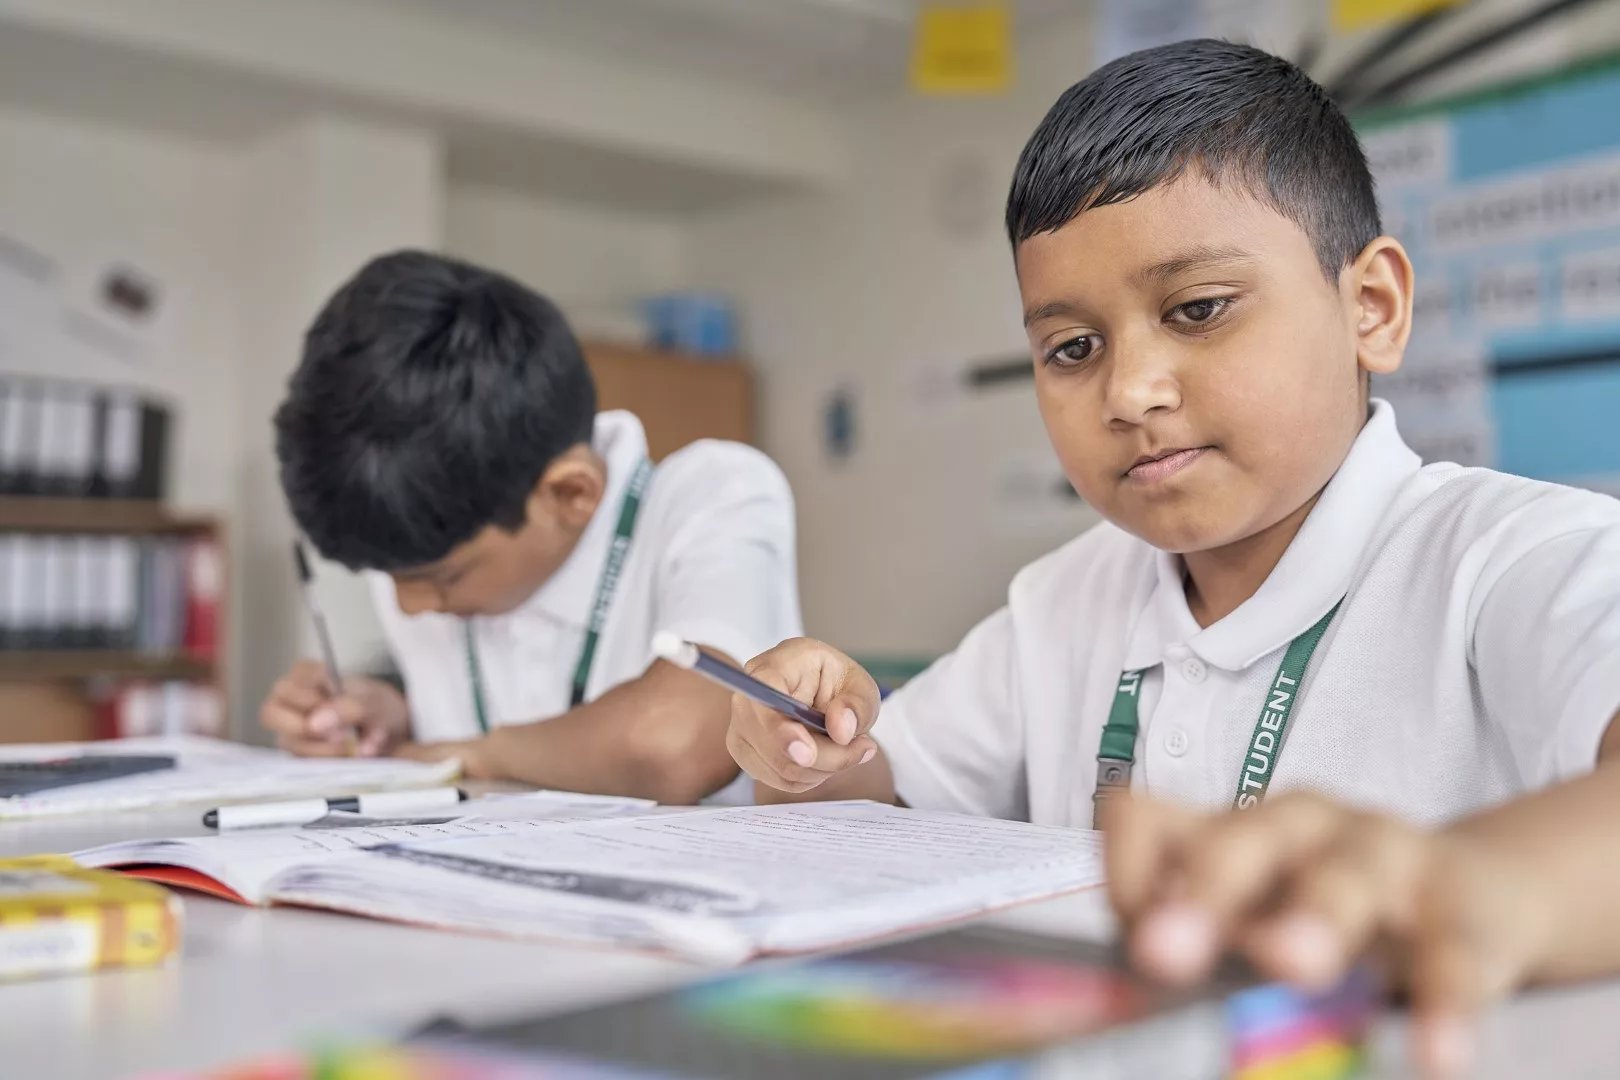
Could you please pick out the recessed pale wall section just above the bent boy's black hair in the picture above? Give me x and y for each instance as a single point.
(592, 261)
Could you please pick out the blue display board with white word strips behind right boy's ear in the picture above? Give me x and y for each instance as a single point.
(1509, 203)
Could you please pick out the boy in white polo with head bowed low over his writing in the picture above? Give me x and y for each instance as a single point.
(441, 433)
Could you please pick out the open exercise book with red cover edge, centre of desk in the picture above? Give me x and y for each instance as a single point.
(715, 885)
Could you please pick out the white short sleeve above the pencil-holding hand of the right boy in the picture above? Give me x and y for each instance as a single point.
(955, 736)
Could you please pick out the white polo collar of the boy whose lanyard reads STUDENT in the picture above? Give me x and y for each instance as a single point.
(1313, 576)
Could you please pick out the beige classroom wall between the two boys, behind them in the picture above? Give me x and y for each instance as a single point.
(890, 287)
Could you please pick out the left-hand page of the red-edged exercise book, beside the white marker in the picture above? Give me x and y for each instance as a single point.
(249, 859)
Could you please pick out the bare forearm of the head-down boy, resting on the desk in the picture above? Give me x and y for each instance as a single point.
(662, 736)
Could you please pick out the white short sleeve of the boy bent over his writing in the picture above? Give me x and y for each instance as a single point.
(728, 574)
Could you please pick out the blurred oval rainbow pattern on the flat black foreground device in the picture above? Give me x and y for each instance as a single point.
(918, 1010)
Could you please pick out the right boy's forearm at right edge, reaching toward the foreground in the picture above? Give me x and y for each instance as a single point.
(1567, 841)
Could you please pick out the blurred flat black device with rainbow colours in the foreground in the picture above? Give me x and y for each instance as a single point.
(966, 1005)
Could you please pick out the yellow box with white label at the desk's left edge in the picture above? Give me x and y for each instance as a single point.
(58, 919)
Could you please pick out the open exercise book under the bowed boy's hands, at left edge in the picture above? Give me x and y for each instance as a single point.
(210, 772)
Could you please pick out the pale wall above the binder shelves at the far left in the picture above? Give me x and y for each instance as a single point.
(87, 195)
